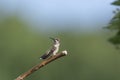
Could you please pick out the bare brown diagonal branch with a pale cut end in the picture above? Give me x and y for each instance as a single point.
(40, 65)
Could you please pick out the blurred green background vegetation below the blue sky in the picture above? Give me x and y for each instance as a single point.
(90, 55)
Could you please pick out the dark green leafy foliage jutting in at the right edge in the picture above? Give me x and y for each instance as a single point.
(115, 25)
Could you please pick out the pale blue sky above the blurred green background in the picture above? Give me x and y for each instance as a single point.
(62, 14)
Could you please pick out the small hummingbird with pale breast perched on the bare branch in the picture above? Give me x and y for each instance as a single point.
(53, 50)
